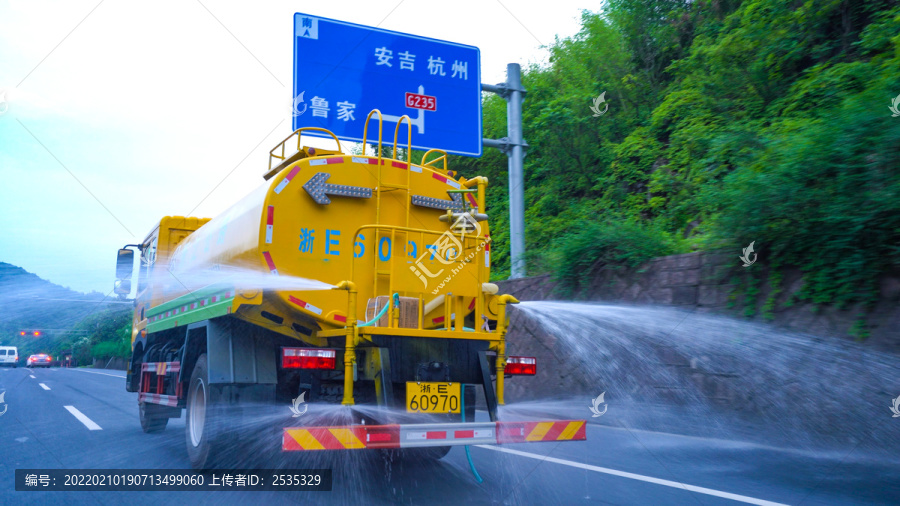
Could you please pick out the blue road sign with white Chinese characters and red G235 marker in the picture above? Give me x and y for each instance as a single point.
(342, 71)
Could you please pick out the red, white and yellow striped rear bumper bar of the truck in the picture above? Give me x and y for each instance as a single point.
(361, 437)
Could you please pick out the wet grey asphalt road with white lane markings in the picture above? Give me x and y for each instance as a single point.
(84, 419)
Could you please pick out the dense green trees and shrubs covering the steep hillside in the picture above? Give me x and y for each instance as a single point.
(728, 122)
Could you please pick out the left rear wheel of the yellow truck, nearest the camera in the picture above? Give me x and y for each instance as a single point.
(202, 428)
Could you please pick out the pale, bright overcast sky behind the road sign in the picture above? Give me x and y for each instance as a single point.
(114, 114)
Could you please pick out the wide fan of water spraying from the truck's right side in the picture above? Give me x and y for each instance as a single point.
(667, 367)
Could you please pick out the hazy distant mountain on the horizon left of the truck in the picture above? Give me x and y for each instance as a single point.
(29, 303)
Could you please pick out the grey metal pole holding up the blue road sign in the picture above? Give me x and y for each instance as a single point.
(514, 147)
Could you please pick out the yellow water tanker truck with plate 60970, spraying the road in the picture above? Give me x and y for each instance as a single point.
(350, 279)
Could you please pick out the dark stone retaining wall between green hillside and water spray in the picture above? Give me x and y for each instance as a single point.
(703, 282)
